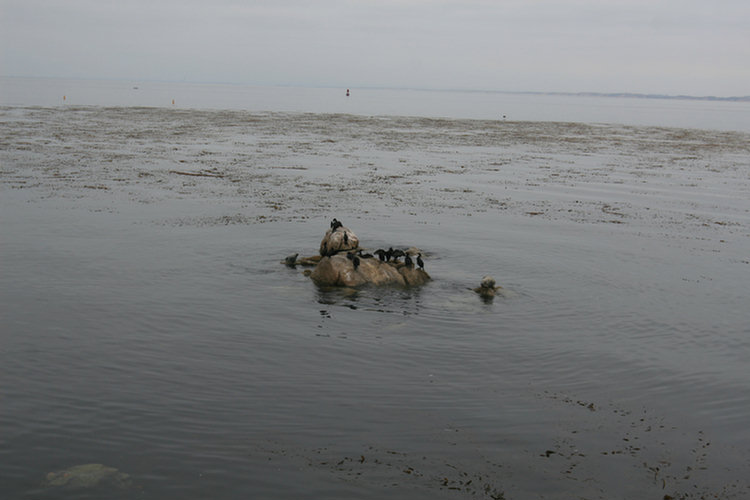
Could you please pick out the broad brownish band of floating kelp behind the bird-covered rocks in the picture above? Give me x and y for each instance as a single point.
(282, 167)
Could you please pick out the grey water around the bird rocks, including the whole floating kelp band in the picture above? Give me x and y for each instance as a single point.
(148, 323)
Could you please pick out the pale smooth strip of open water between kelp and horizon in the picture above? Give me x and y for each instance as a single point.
(377, 102)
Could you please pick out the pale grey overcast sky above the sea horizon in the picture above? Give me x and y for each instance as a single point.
(644, 46)
